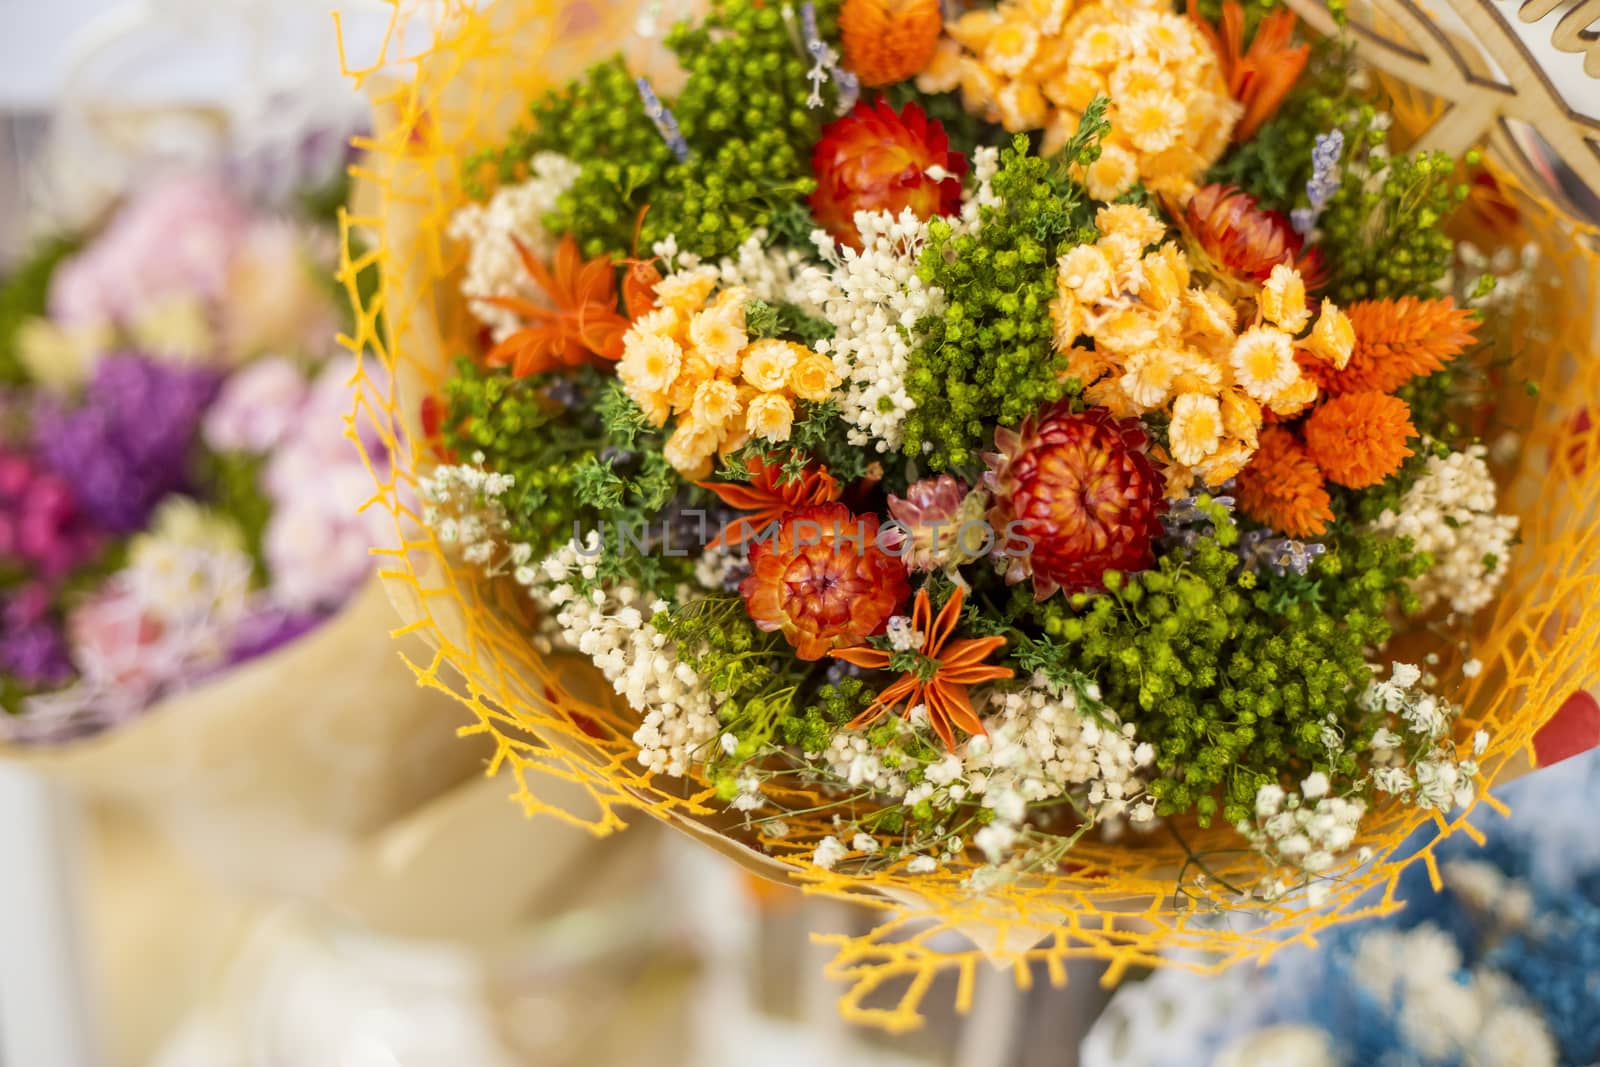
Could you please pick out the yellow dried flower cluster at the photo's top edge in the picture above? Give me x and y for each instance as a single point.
(1036, 65)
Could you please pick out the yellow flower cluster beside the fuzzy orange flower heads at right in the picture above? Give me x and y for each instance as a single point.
(1164, 345)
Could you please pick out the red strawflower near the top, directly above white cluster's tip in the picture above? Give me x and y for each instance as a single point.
(876, 161)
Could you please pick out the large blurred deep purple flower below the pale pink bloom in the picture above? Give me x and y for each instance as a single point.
(129, 442)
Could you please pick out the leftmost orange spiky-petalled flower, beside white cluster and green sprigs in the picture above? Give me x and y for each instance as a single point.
(583, 326)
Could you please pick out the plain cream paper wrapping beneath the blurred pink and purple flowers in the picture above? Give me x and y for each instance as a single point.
(274, 773)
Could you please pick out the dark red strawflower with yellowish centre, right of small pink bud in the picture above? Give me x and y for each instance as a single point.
(1082, 490)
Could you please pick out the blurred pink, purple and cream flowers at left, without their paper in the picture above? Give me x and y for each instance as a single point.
(177, 489)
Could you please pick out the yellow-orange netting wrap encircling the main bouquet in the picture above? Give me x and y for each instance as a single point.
(1124, 903)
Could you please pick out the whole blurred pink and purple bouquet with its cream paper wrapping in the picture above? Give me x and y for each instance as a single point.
(190, 620)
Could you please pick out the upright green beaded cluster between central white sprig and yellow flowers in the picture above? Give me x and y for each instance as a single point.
(990, 356)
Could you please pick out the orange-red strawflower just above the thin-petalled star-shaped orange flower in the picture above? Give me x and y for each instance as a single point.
(823, 580)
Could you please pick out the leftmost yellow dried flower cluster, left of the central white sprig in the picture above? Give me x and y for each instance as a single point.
(692, 361)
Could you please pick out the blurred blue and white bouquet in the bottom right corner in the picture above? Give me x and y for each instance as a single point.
(1502, 967)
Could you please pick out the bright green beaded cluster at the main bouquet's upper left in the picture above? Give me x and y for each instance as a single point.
(743, 116)
